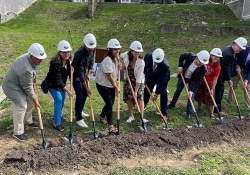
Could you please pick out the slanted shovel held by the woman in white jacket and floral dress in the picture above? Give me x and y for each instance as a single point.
(144, 126)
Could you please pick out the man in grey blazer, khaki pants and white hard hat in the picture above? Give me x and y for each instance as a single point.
(18, 85)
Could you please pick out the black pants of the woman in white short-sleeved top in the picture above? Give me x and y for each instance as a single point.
(108, 96)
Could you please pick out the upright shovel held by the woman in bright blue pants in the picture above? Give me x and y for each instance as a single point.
(71, 139)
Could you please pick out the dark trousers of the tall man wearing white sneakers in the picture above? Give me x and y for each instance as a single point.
(81, 96)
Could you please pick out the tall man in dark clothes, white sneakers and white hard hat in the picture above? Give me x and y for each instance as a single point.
(82, 63)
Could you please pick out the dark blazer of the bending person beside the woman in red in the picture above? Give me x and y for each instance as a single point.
(185, 61)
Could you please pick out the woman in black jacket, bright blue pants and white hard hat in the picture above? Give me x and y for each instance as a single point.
(59, 71)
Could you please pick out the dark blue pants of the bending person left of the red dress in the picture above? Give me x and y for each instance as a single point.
(179, 88)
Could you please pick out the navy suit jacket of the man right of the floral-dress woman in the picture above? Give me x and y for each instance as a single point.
(160, 76)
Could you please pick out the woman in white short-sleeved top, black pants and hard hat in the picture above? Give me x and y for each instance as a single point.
(106, 78)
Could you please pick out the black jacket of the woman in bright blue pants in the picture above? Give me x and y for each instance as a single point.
(57, 75)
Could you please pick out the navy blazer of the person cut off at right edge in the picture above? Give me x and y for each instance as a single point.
(243, 55)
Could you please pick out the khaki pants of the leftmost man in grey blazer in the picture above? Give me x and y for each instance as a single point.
(22, 115)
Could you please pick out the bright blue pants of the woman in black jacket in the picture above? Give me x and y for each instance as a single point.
(59, 97)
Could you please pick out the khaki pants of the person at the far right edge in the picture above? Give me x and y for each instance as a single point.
(235, 81)
